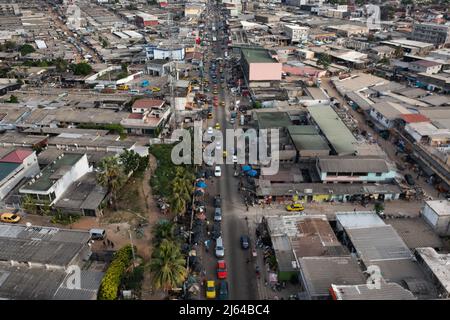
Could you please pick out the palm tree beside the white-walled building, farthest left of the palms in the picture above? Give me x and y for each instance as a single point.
(111, 176)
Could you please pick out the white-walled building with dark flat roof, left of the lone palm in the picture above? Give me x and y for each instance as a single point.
(56, 178)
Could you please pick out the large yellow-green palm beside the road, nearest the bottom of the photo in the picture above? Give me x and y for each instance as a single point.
(168, 266)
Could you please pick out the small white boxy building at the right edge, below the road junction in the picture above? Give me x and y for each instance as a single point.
(437, 214)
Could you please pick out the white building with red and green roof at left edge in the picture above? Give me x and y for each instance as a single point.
(14, 166)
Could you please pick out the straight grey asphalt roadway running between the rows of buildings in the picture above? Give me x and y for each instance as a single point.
(241, 275)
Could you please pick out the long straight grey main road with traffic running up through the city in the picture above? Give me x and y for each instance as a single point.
(241, 271)
